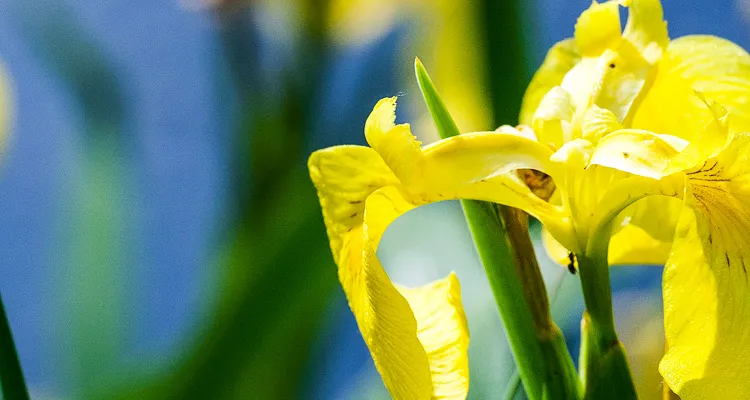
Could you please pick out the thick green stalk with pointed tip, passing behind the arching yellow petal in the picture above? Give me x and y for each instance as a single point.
(502, 239)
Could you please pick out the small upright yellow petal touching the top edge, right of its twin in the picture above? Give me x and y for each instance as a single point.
(646, 28)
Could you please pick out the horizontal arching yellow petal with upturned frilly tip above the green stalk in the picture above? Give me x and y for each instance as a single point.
(468, 166)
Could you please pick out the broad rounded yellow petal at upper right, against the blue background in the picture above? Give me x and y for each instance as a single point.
(714, 67)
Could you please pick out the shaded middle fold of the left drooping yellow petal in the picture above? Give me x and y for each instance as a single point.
(384, 317)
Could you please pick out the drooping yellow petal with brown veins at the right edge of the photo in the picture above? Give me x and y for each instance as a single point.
(706, 287)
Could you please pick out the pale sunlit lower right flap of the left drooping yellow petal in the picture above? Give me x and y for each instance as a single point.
(444, 333)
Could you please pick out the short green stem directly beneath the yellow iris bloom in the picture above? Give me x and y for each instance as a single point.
(604, 369)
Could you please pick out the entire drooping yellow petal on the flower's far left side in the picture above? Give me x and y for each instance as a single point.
(359, 201)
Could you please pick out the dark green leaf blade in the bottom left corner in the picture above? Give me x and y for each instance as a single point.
(11, 376)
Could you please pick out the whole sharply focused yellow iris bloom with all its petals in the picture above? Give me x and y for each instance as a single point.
(641, 137)
